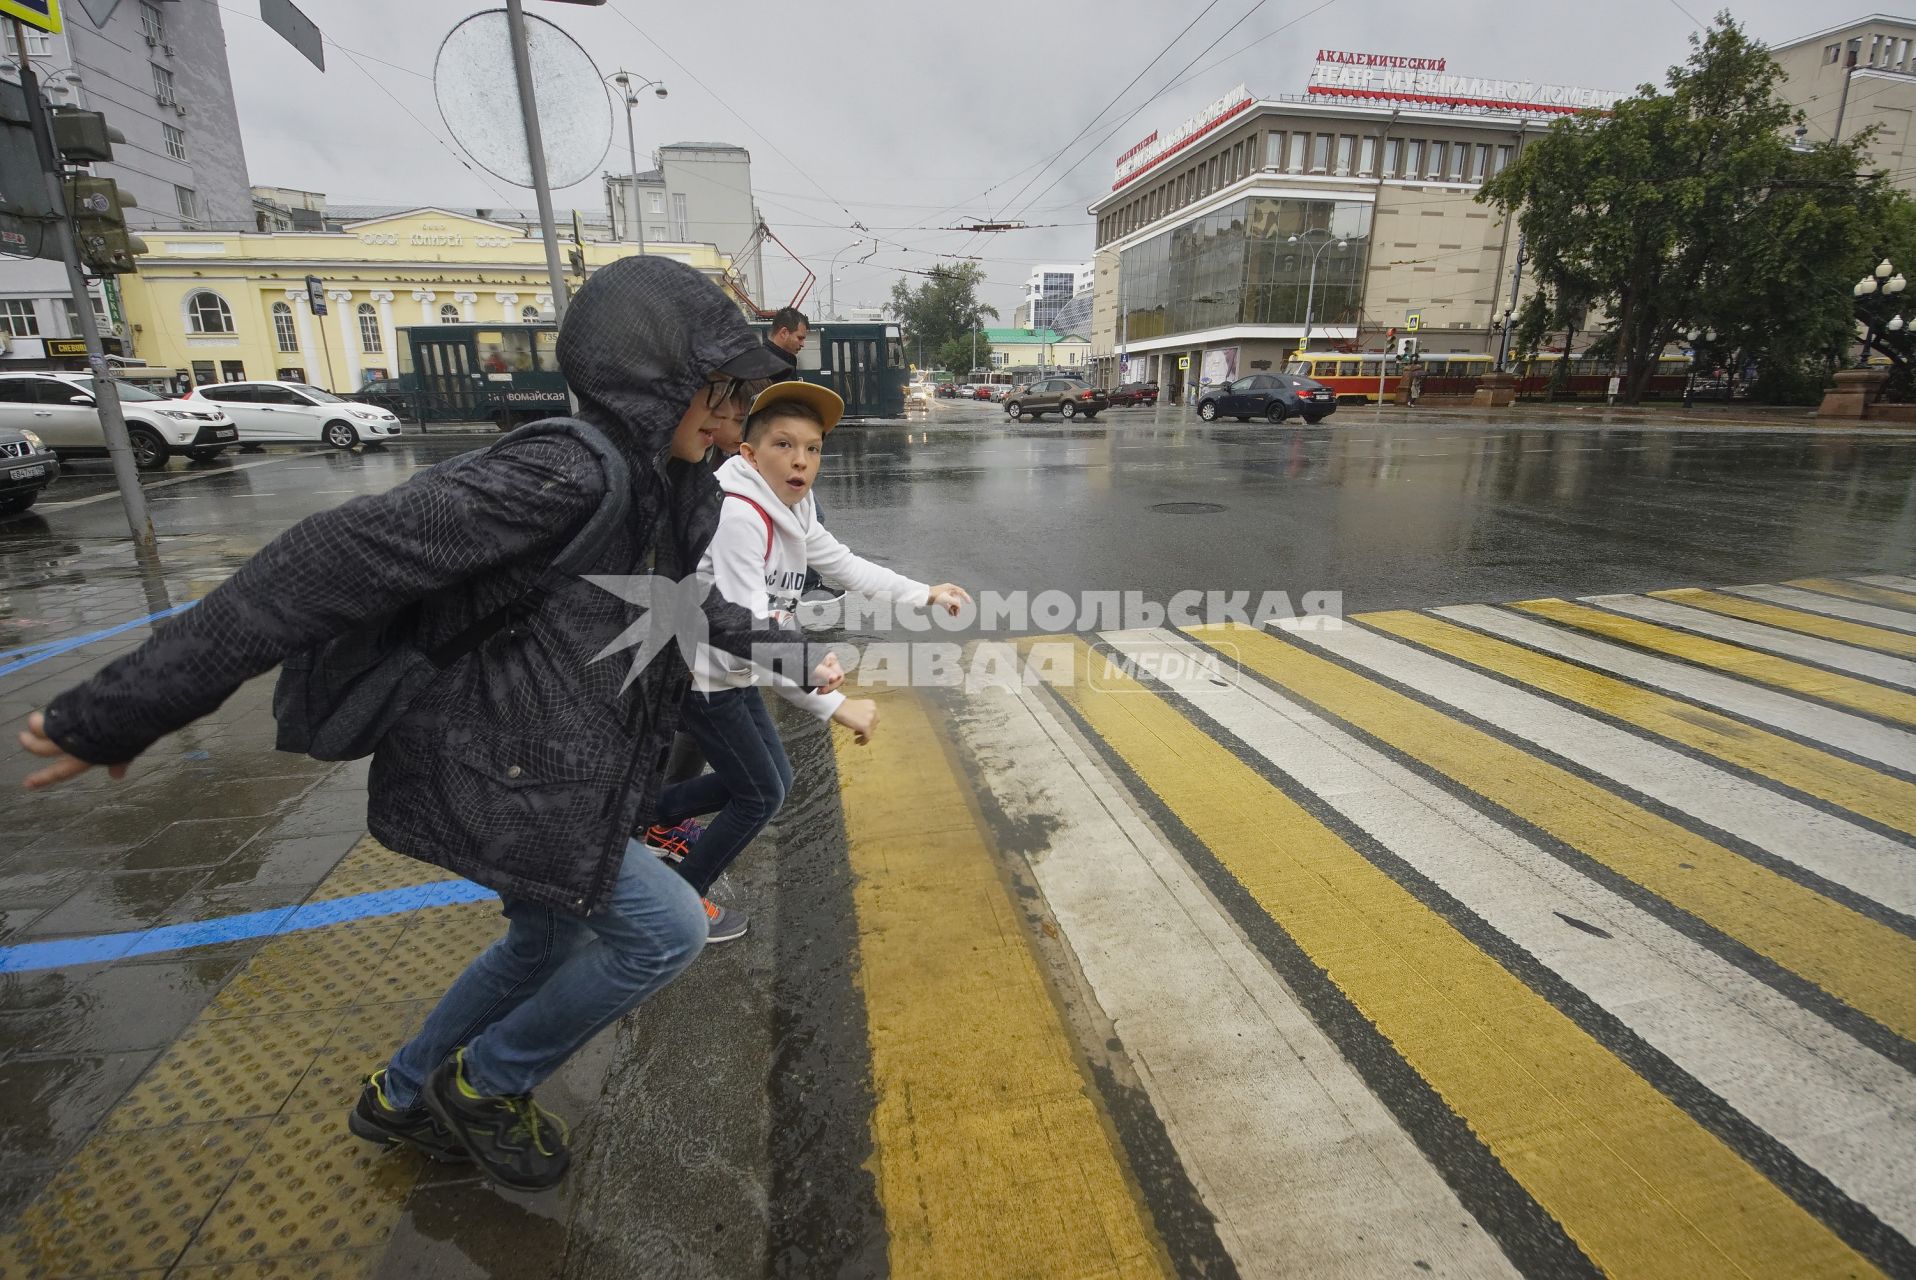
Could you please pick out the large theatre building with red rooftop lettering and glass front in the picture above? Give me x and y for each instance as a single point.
(1264, 225)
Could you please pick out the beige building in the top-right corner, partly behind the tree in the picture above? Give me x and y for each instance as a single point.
(1854, 78)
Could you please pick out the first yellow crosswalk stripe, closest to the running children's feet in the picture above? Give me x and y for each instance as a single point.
(993, 1156)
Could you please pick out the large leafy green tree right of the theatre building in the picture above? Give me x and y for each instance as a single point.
(1691, 212)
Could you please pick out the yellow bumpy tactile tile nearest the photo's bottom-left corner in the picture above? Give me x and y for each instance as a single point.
(127, 1202)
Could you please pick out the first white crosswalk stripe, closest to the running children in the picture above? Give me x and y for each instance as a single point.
(1304, 1168)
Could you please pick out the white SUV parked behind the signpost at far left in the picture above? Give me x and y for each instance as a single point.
(60, 409)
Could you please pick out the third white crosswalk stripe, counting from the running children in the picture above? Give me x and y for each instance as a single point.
(1856, 857)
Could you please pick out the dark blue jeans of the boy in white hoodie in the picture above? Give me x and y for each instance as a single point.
(748, 783)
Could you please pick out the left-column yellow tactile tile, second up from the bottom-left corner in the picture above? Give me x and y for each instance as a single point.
(227, 1068)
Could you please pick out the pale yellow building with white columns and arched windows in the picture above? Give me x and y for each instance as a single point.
(227, 306)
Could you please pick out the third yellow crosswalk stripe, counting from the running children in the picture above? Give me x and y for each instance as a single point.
(1848, 955)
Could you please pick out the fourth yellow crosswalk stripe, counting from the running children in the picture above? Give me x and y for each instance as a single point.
(1771, 756)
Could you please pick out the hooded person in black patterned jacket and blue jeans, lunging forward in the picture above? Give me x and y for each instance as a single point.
(528, 764)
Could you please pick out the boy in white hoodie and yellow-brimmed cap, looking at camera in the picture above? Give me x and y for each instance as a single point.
(767, 539)
